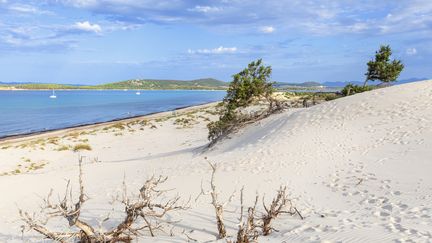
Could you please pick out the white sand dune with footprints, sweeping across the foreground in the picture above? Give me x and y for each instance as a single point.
(358, 168)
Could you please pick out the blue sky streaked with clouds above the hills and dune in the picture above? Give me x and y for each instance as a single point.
(99, 41)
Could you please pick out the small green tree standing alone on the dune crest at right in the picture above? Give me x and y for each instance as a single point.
(382, 68)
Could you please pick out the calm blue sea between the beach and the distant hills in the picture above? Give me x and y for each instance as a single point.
(24, 112)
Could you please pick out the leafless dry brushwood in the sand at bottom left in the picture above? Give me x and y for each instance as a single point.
(143, 214)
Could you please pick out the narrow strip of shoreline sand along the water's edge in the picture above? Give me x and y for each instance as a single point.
(82, 127)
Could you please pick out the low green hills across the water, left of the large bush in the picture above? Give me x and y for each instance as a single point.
(144, 84)
